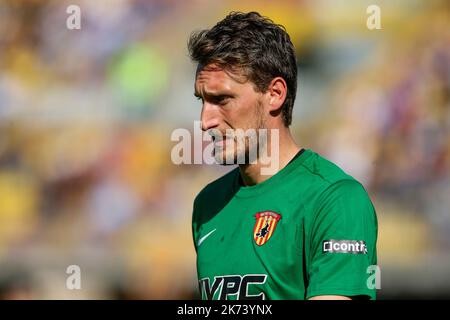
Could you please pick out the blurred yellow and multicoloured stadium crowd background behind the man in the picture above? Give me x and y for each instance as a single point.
(86, 117)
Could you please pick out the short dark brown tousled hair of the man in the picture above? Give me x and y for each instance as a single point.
(256, 45)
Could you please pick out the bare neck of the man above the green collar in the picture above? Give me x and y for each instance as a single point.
(251, 174)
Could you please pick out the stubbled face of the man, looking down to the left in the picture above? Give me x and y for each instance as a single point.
(229, 103)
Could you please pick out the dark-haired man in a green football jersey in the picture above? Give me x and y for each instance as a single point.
(307, 230)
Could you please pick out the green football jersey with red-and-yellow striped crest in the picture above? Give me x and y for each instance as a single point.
(309, 230)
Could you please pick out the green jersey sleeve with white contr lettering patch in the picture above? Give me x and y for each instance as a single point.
(342, 242)
